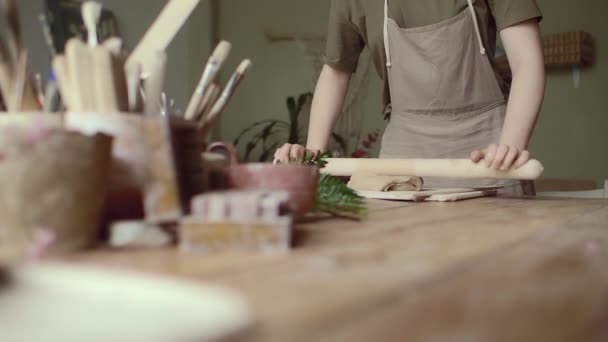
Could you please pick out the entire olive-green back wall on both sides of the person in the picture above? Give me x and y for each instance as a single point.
(571, 137)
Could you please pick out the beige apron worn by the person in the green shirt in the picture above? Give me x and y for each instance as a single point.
(445, 99)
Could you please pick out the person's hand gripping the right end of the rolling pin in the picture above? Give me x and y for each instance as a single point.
(501, 157)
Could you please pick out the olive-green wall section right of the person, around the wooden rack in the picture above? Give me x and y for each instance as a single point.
(571, 138)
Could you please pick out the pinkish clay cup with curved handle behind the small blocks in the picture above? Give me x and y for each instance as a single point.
(299, 181)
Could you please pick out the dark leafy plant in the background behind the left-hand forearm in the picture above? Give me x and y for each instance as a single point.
(267, 135)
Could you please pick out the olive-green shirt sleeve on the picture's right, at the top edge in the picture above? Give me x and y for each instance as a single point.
(511, 12)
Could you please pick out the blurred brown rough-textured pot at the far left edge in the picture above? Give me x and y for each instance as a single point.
(57, 185)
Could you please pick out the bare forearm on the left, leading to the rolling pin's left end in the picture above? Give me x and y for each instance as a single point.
(326, 106)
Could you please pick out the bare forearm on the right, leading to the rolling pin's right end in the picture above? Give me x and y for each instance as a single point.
(528, 85)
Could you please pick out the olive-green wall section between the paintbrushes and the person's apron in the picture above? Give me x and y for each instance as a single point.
(279, 69)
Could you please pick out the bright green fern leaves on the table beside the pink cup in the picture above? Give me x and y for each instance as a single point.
(333, 196)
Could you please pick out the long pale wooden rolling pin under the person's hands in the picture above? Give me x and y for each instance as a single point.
(452, 168)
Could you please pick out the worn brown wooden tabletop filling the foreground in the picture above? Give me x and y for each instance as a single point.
(493, 269)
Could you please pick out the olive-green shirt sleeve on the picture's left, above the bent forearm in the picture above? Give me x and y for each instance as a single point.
(344, 41)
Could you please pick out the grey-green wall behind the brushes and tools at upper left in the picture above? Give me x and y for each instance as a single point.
(134, 16)
